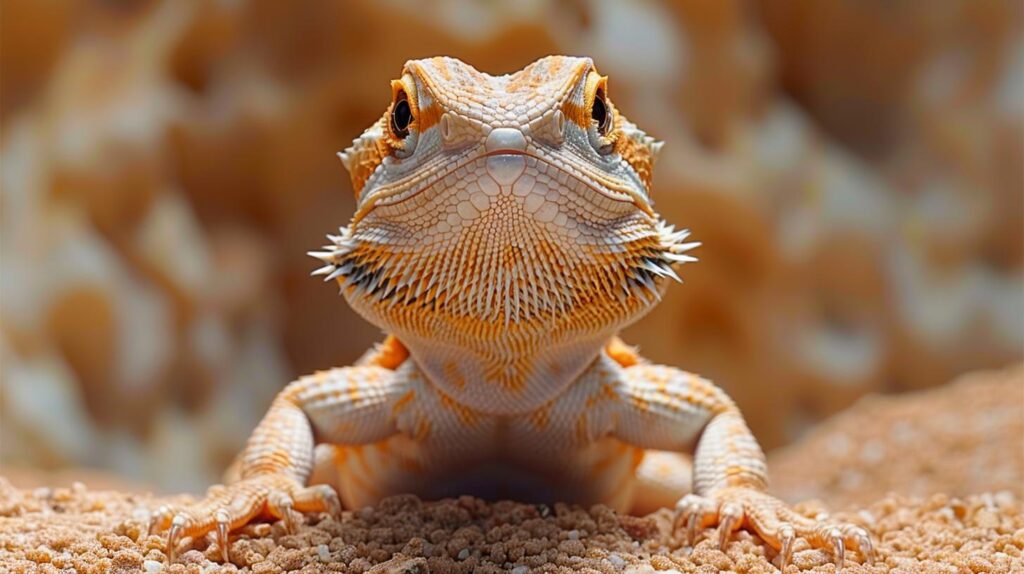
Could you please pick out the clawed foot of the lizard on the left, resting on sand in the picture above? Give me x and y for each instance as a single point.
(230, 508)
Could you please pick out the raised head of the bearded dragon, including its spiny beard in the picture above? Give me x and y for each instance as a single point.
(495, 205)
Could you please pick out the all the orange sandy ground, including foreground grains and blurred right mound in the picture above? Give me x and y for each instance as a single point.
(965, 439)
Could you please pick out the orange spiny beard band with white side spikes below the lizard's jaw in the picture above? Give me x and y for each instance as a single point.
(507, 284)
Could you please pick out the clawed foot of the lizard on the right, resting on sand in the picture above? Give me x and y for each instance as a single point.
(773, 520)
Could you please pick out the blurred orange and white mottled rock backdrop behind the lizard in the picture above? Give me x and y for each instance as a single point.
(855, 169)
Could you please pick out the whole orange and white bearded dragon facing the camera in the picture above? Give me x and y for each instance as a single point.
(504, 235)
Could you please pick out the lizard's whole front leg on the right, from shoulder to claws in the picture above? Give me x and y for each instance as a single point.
(666, 409)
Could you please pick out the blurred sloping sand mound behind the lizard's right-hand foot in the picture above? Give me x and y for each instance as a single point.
(964, 438)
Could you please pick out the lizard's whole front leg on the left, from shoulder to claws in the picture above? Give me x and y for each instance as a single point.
(349, 406)
